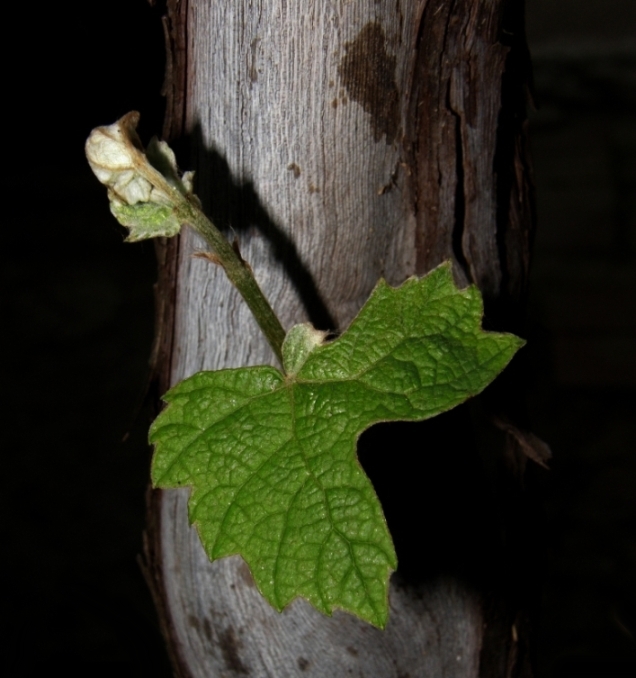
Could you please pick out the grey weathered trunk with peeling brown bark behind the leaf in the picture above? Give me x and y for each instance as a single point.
(340, 142)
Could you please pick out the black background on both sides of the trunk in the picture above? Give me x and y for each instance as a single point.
(77, 313)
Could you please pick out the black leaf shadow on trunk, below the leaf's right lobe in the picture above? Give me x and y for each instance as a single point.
(429, 481)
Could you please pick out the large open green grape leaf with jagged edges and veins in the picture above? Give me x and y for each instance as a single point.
(271, 457)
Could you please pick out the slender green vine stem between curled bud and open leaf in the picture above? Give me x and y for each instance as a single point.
(238, 272)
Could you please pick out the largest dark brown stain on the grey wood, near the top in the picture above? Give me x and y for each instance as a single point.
(367, 72)
